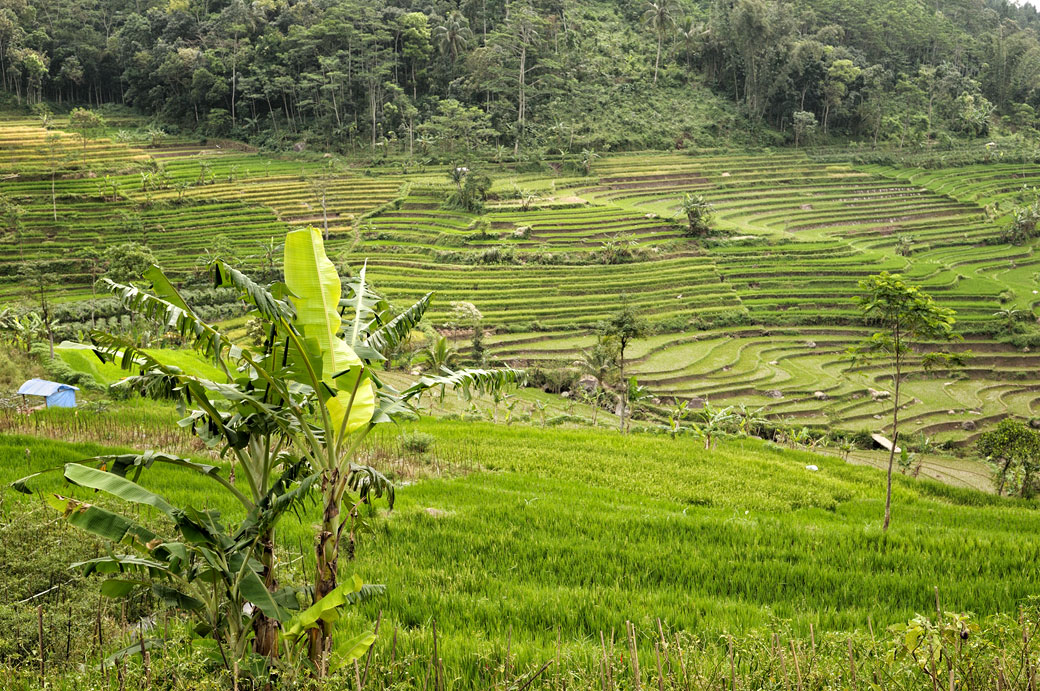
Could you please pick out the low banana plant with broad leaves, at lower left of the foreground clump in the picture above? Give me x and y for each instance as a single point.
(209, 571)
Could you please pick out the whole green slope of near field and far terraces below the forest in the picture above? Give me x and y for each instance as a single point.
(523, 531)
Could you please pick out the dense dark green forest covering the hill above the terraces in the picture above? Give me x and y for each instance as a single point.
(523, 75)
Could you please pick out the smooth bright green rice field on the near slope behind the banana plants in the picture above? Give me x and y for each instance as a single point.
(526, 534)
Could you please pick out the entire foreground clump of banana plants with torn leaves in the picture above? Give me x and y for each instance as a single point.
(258, 429)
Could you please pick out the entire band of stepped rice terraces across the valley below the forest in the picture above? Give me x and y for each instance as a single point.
(762, 318)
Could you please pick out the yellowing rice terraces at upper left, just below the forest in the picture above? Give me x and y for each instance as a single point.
(177, 199)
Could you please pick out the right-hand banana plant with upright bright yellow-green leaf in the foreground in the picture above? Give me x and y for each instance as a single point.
(352, 335)
